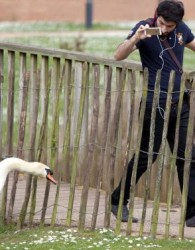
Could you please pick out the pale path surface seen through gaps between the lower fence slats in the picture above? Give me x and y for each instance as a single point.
(62, 208)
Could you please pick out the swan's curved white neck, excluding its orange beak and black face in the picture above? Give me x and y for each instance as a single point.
(13, 163)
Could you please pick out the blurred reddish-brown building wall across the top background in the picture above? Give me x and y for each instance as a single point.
(74, 10)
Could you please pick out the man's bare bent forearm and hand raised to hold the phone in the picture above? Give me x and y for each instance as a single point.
(128, 46)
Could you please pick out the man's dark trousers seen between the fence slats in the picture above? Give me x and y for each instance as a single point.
(143, 157)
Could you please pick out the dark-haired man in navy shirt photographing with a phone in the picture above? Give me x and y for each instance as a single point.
(154, 55)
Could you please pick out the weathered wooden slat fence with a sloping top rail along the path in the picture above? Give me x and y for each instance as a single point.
(78, 114)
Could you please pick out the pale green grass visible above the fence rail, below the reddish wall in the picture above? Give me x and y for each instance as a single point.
(102, 46)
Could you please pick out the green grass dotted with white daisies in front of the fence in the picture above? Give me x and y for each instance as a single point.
(61, 238)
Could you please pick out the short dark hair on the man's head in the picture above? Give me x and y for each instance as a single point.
(171, 11)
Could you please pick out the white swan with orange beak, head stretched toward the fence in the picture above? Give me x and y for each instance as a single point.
(34, 168)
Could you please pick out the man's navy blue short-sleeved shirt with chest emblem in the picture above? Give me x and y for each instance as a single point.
(152, 48)
